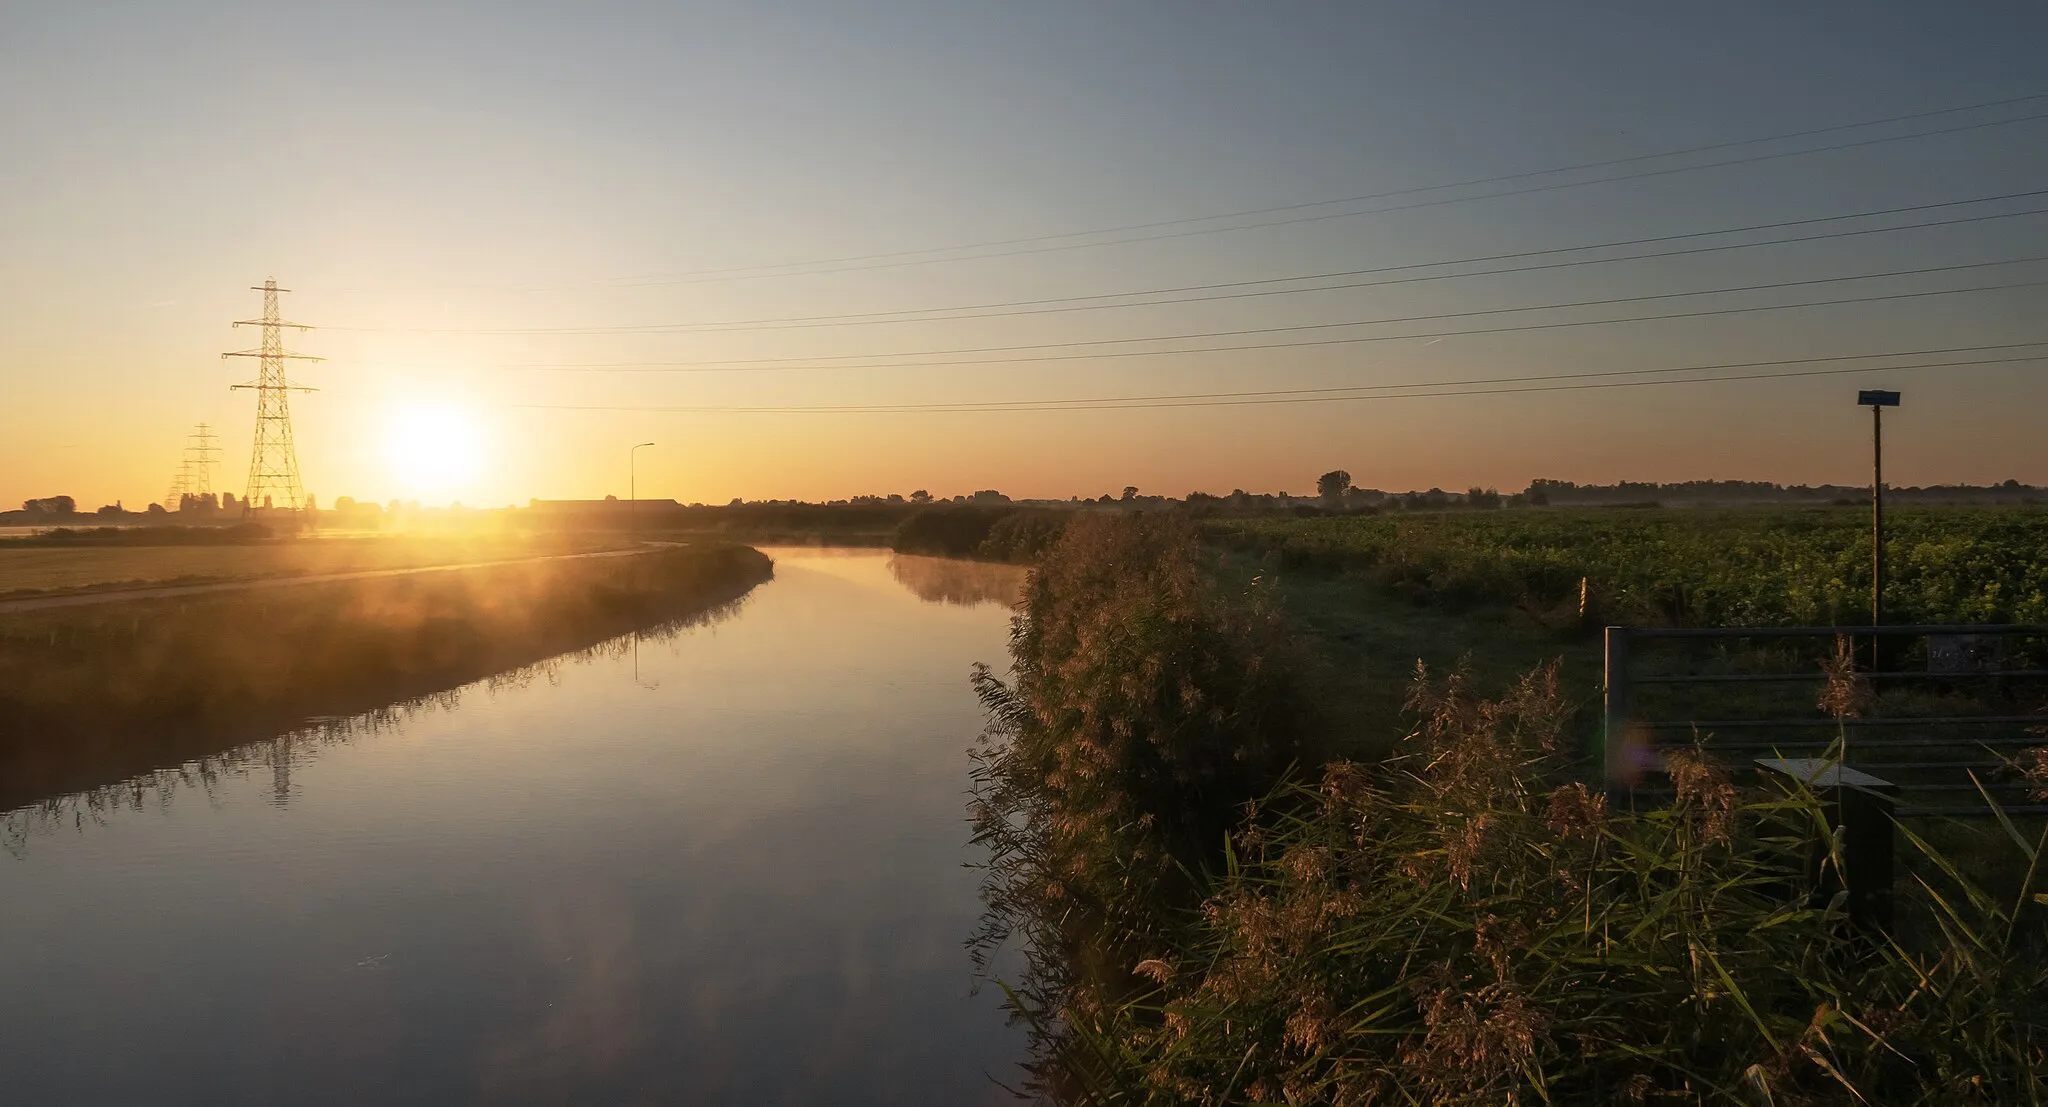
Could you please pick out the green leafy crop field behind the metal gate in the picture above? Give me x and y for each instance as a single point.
(1691, 568)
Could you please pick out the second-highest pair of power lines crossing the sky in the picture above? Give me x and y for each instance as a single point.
(1031, 308)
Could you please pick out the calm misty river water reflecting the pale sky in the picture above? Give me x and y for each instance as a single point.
(726, 871)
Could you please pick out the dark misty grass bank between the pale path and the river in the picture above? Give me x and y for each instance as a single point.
(97, 695)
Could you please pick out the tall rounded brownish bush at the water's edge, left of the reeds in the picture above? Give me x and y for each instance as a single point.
(1144, 713)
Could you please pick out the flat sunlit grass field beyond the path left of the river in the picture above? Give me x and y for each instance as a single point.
(56, 570)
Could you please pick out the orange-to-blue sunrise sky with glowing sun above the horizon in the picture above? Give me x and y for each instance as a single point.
(538, 234)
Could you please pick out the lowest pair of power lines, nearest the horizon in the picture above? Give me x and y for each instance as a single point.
(1422, 390)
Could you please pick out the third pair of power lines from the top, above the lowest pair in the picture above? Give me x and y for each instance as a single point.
(1248, 333)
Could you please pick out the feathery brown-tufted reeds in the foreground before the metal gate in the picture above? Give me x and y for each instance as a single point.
(1447, 930)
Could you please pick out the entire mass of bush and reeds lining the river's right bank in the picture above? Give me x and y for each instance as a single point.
(1461, 924)
